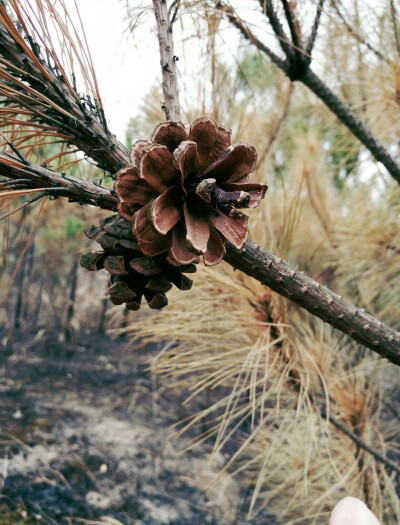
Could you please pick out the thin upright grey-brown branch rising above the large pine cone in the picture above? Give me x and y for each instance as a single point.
(168, 60)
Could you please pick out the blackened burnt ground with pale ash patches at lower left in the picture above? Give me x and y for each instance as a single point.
(86, 438)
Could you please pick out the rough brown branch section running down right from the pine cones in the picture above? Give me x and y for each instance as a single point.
(271, 271)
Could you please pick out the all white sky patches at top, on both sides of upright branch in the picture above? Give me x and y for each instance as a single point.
(127, 64)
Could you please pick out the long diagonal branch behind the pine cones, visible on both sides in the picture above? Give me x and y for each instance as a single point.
(254, 260)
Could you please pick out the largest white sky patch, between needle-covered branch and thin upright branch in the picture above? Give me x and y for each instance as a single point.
(125, 68)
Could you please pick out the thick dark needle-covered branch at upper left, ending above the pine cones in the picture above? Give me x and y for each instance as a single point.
(42, 91)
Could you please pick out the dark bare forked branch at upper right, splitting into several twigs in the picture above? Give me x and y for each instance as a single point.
(296, 66)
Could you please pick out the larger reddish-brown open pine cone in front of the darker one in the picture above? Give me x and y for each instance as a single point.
(183, 189)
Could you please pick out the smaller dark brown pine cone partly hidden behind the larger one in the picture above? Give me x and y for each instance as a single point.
(132, 274)
